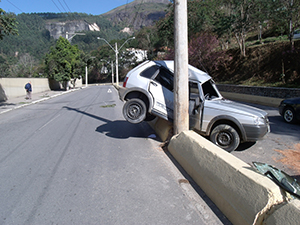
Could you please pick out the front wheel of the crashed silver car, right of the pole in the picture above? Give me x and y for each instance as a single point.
(226, 137)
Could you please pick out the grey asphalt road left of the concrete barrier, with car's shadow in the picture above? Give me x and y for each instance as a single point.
(73, 159)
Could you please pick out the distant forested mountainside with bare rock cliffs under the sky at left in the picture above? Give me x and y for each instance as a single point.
(38, 31)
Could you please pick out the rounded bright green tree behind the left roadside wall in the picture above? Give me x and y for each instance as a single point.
(64, 61)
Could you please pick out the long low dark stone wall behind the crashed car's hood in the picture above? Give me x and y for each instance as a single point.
(272, 92)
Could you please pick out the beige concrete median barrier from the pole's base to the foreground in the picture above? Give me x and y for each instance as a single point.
(242, 194)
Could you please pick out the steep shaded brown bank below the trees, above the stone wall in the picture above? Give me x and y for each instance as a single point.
(270, 64)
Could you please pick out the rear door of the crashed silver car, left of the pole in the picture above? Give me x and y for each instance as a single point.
(161, 88)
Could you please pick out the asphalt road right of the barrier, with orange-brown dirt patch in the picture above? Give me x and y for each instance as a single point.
(280, 148)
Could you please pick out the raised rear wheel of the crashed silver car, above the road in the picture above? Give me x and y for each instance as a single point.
(134, 110)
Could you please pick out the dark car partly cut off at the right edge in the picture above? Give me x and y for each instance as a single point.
(289, 109)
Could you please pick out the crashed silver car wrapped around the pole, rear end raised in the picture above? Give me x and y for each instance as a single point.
(148, 92)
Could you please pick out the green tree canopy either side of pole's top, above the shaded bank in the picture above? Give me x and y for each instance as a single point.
(234, 19)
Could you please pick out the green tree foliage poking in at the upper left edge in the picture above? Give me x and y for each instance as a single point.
(8, 24)
